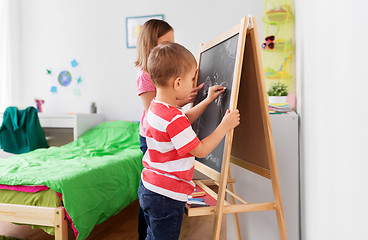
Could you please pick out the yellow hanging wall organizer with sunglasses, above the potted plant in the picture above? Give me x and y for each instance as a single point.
(278, 46)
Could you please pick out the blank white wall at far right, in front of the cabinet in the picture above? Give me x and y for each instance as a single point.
(332, 89)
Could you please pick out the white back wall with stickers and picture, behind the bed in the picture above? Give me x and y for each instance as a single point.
(93, 31)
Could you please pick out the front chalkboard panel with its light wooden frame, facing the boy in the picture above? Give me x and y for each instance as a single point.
(228, 50)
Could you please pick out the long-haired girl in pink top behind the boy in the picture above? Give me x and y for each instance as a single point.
(153, 33)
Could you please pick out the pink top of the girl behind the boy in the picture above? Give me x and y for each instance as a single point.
(144, 84)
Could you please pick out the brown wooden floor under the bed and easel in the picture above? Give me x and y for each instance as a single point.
(122, 226)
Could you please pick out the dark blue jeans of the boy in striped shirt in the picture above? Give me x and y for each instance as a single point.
(163, 214)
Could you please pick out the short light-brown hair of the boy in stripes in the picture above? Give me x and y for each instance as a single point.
(169, 60)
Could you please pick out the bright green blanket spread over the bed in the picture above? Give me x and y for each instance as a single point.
(98, 175)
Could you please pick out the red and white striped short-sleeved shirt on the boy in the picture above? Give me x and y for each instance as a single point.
(168, 165)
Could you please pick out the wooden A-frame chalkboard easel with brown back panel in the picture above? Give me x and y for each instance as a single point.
(250, 145)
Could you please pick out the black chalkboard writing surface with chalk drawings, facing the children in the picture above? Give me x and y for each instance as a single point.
(216, 67)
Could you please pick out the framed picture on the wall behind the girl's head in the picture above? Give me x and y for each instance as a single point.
(134, 25)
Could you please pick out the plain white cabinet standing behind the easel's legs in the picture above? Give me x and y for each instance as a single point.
(254, 188)
